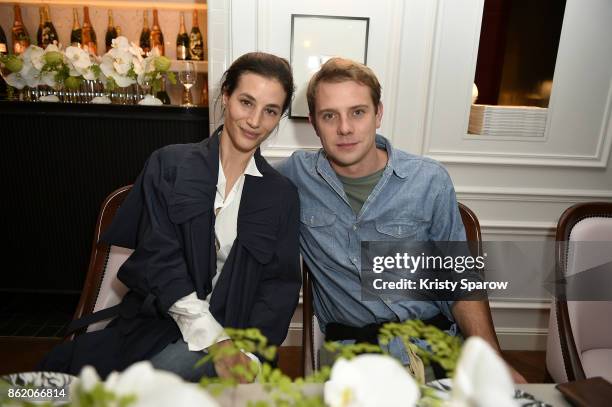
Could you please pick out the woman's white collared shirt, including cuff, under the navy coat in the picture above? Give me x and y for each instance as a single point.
(192, 315)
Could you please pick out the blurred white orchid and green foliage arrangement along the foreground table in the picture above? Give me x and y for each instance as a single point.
(355, 379)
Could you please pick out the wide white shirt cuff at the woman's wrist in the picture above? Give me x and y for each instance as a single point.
(196, 323)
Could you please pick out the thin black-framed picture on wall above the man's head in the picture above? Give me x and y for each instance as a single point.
(314, 40)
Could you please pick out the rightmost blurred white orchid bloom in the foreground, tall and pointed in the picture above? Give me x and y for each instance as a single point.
(474, 382)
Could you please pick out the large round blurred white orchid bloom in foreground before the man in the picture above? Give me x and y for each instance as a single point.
(368, 381)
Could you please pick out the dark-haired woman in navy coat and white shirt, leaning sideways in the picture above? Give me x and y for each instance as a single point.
(215, 233)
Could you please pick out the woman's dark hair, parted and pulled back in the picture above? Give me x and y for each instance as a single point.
(260, 63)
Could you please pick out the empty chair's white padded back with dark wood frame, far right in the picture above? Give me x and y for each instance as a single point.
(578, 326)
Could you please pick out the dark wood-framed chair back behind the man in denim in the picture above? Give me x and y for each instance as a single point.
(312, 337)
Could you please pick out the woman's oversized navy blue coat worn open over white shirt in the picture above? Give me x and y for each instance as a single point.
(168, 218)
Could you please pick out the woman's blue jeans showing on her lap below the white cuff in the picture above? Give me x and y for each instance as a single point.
(177, 358)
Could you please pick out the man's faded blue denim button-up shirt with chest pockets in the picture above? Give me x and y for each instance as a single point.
(414, 199)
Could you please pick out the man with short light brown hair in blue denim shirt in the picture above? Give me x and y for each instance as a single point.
(359, 188)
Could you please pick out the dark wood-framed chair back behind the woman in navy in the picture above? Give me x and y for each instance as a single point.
(102, 289)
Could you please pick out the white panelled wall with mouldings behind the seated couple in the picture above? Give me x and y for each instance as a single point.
(424, 52)
